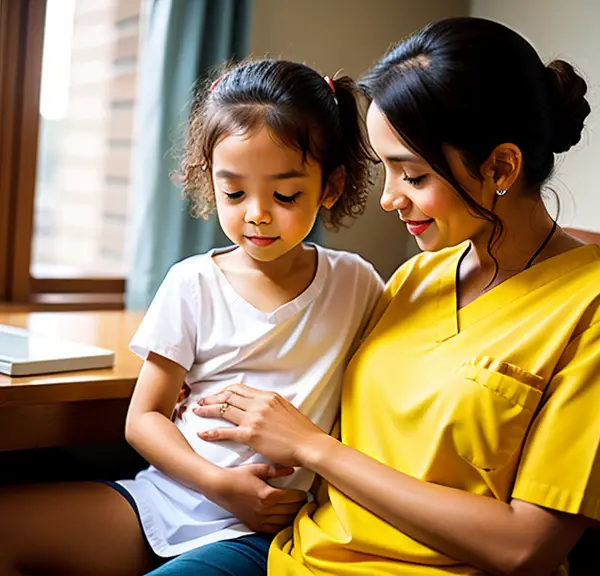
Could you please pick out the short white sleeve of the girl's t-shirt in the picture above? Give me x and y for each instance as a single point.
(169, 327)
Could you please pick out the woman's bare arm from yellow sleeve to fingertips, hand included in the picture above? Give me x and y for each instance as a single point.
(519, 538)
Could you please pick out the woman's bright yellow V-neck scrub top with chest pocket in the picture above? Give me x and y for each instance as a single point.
(447, 396)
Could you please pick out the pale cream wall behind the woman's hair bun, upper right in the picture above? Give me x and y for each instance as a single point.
(567, 30)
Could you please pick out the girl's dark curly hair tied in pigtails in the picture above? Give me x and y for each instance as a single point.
(300, 108)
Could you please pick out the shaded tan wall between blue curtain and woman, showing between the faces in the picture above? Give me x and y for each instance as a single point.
(350, 35)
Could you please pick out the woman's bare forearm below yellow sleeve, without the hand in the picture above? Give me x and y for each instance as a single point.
(483, 532)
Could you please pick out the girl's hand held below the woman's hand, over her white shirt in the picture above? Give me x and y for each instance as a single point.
(263, 508)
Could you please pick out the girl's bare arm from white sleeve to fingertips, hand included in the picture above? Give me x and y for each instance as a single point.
(241, 490)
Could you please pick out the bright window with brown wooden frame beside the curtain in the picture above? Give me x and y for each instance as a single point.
(69, 74)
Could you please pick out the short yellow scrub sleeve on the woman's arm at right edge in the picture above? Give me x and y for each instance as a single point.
(560, 465)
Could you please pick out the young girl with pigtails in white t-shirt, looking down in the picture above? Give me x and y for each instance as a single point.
(272, 145)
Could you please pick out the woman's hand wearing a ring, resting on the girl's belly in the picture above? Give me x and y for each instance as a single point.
(266, 422)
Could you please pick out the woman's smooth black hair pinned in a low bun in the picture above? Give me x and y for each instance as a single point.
(474, 84)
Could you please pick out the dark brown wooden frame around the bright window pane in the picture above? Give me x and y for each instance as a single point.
(21, 46)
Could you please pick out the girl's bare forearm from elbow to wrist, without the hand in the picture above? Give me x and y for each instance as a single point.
(159, 441)
